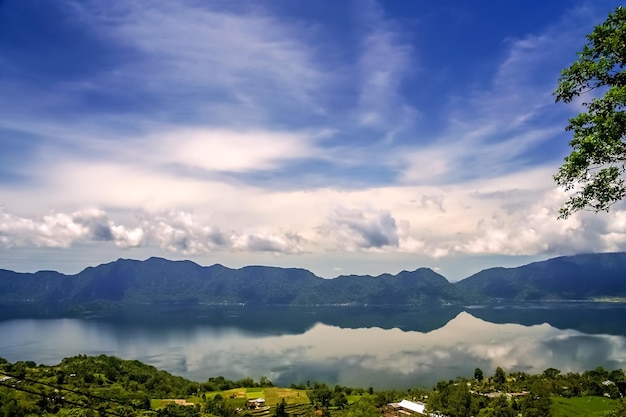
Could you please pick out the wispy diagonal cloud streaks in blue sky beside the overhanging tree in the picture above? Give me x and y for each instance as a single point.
(509, 123)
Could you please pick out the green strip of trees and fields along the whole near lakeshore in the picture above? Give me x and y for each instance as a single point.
(94, 386)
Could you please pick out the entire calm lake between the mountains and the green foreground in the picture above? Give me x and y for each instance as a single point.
(382, 348)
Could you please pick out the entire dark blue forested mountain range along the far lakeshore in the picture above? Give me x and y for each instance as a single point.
(156, 280)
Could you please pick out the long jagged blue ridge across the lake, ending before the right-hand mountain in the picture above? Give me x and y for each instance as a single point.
(157, 280)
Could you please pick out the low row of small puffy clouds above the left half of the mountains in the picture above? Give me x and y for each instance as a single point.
(172, 231)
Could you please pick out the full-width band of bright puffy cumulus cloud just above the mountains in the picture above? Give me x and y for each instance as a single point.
(482, 218)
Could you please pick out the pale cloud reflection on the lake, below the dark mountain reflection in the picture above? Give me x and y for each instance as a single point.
(355, 357)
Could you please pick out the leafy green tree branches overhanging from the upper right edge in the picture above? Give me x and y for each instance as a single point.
(595, 169)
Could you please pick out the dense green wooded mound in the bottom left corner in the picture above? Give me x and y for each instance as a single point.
(86, 386)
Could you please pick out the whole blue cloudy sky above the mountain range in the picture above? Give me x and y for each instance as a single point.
(352, 137)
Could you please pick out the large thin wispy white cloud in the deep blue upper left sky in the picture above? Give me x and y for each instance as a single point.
(231, 63)
